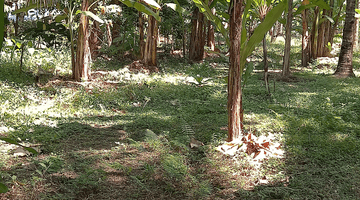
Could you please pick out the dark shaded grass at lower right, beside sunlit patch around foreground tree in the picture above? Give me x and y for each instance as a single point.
(322, 141)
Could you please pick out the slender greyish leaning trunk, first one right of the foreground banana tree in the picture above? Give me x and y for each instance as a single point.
(286, 64)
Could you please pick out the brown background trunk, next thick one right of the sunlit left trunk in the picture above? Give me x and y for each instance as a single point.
(151, 43)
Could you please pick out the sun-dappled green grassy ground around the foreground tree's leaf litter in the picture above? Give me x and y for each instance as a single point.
(126, 136)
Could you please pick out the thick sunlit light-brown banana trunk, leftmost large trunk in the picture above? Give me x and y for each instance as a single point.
(83, 55)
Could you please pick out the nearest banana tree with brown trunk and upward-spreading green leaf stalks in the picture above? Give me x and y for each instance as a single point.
(240, 48)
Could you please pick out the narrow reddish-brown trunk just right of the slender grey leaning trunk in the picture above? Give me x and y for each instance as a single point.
(305, 44)
